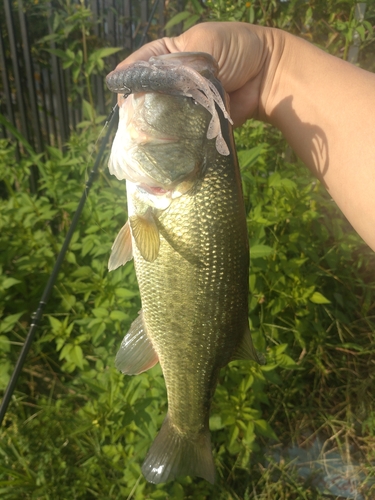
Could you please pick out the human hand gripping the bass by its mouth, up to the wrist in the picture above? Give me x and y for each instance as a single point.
(243, 53)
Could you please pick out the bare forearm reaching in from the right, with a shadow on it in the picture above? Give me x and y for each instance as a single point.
(325, 107)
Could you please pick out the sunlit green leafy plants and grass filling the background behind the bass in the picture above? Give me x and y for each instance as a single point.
(78, 429)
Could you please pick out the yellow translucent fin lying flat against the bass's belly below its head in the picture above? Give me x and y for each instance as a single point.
(146, 234)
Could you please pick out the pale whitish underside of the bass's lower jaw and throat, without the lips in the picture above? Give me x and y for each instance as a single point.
(161, 141)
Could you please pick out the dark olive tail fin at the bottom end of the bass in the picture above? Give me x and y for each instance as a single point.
(173, 454)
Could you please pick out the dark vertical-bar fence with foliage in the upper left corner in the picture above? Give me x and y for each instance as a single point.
(44, 50)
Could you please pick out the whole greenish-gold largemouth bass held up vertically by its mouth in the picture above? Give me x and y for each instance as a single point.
(187, 234)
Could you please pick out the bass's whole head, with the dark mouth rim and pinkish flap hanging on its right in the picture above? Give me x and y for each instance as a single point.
(167, 123)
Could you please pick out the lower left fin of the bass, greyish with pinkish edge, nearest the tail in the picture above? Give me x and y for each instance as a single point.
(136, 354)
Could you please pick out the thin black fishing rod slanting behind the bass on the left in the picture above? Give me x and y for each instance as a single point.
(37, 316)
